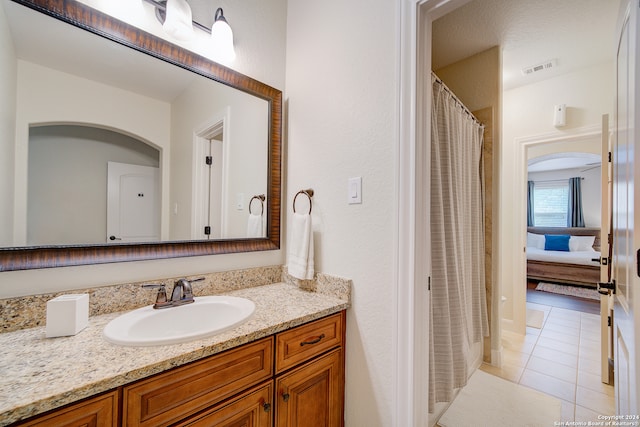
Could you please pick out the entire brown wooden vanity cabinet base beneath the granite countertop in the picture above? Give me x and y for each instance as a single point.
(294, 378)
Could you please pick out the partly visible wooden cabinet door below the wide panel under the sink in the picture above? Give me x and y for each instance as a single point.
(251, 409)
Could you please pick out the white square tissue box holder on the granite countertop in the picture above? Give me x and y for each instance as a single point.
(67, 315)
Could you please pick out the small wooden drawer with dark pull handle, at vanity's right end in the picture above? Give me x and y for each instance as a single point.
(304, 342)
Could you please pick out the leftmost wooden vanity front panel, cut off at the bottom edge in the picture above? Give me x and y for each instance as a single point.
(101, 411)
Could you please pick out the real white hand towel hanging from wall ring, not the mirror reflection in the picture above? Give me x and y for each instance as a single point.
(300, 263)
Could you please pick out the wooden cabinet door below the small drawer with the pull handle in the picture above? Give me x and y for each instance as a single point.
(313, 394)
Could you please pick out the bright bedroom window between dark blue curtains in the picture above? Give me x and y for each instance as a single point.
(550, 204)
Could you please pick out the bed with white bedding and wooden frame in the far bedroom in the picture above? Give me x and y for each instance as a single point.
(576, 267)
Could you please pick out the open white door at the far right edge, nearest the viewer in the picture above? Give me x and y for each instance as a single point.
(624, 239)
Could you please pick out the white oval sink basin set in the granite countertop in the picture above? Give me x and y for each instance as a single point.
(205, 317)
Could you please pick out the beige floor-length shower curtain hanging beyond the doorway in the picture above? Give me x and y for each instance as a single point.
(458, 295)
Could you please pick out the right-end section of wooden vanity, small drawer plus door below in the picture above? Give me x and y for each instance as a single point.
(311, 394)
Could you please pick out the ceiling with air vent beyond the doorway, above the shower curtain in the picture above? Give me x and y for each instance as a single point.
(576, 33)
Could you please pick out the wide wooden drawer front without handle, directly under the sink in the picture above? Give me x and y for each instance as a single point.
(174, 395)
